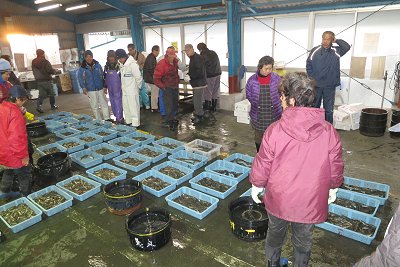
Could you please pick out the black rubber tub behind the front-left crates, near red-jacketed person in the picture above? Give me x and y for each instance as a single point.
(54, 164)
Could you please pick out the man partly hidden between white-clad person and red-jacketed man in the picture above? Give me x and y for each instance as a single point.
(148, 72)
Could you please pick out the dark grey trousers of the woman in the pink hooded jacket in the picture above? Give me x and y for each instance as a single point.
(301, 240)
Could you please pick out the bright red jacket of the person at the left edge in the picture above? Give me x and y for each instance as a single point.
(13, 136)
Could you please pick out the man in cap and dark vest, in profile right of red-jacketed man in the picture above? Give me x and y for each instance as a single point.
(197, 73)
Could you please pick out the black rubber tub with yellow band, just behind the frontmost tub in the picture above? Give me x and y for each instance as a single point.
(123, 197)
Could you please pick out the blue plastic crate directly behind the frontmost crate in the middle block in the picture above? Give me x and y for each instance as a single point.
(229, 182)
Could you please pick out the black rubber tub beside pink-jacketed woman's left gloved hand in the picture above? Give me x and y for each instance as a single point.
(248, 220)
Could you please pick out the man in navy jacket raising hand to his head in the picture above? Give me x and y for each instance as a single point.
(323, 65)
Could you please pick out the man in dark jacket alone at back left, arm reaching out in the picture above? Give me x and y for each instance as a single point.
(42, 71)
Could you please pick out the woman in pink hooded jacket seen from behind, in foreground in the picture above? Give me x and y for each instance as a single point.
(300, 159)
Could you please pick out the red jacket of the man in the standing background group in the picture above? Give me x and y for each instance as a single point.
(166, 75)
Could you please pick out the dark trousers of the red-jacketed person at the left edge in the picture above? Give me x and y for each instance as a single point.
(24, 177)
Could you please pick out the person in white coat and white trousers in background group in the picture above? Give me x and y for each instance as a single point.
(131, 80)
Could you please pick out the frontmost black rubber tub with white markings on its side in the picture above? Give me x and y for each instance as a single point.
(149, 229)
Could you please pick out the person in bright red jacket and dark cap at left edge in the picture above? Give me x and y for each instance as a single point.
(14, 155)
